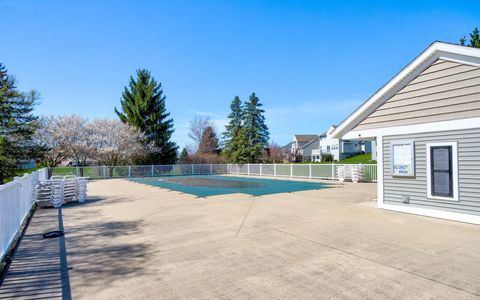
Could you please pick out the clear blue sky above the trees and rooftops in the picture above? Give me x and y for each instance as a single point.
(310, 62)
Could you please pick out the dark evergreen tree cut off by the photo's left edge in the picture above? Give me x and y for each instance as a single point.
(17, 125)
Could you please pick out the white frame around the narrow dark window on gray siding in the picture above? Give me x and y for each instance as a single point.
(454, 170)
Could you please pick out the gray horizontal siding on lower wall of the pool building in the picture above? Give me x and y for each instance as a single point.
(416, 188)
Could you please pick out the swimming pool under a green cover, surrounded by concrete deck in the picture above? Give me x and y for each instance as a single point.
(210, 185)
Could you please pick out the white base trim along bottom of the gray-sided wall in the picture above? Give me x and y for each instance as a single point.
(433, 213)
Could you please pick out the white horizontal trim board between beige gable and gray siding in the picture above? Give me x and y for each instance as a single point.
(417, 128)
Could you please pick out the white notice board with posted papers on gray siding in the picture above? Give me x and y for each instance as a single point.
(403, 158)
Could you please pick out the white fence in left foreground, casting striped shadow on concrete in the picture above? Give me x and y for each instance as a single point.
(16, 201)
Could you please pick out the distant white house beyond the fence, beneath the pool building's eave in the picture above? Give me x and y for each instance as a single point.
(340, 148)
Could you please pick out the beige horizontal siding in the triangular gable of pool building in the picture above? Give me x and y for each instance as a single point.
(444, 91)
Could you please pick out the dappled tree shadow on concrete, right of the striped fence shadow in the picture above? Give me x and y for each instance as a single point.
(100, 251)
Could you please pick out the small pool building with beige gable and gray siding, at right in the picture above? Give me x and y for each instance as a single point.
(426, 123)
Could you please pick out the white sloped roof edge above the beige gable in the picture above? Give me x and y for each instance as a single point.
(435, 51)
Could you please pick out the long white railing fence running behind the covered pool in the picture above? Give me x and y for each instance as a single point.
(314, 171)
